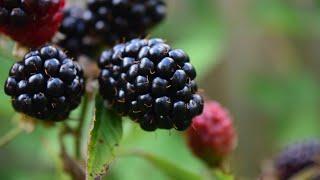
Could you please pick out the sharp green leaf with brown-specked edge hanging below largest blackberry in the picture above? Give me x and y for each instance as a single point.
(105, 135)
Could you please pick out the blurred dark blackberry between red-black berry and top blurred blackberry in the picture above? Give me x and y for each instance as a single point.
(77, 39)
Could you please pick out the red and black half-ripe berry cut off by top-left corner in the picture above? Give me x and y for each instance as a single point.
(29, 22)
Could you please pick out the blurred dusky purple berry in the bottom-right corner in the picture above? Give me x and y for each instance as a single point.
(296, 158)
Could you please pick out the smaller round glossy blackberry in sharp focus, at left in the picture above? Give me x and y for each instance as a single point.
(46, 84)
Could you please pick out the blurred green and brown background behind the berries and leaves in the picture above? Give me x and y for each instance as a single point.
(259, 58)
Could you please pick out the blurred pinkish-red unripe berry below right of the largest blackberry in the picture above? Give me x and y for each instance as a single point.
(211, 136)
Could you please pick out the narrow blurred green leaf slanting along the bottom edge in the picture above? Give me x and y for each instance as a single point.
(170, 169)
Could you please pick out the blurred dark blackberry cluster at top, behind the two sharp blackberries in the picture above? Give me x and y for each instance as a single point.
(106, 22)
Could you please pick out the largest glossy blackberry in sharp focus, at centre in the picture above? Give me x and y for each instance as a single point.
(151, 83)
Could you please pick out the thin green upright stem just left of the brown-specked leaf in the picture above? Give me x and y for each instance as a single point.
(79, 130)
